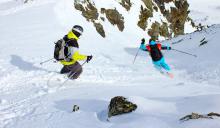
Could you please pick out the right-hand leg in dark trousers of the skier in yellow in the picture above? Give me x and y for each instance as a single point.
(76, 70)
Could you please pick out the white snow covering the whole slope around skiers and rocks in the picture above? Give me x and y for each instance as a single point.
(31, 95)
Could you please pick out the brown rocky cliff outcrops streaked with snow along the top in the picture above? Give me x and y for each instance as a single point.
(173, 15)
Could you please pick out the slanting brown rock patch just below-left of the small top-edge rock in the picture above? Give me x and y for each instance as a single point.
(115, 18)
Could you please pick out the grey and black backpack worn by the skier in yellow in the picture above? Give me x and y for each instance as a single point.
(59, 50)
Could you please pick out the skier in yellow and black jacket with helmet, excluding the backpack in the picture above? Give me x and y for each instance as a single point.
(71, 53)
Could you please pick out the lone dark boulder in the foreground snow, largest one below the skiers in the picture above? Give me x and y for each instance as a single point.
(119, 105)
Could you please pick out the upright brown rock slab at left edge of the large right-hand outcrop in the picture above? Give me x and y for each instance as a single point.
(143, 17)
